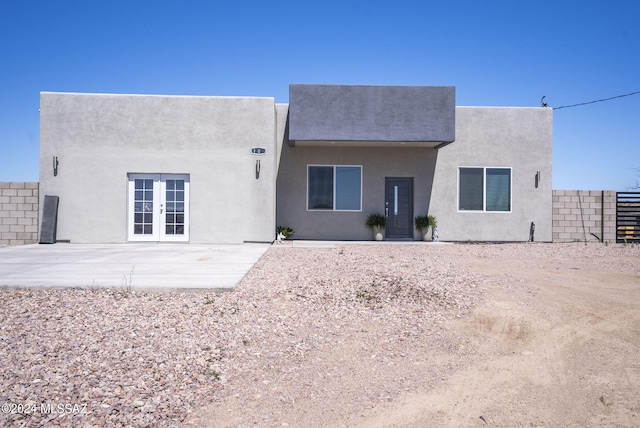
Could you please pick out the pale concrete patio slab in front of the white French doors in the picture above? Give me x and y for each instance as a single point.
(158, 267)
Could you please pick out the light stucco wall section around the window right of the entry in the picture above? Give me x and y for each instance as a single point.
(519, 138)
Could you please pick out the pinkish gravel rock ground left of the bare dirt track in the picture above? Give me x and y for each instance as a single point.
(343, 328)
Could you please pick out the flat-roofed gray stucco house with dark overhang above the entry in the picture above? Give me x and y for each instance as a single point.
(201, 169)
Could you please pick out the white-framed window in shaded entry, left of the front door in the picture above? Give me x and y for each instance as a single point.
(334, 188)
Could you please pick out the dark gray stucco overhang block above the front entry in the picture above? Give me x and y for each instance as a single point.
(371, 116)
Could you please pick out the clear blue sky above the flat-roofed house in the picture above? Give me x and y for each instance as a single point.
(496, 53)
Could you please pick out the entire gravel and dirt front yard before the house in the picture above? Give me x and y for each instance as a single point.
(387, 335)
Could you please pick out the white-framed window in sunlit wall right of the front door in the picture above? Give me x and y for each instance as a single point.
(484, 189)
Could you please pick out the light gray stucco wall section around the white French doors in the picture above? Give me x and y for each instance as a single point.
(100, 138)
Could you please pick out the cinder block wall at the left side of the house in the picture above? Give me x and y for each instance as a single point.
(18, 213)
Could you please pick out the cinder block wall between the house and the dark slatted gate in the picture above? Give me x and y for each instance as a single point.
(577, 214)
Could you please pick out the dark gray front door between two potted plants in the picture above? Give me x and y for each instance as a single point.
(399, 208)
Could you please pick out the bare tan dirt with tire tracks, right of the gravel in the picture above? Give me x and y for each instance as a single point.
(558, 350)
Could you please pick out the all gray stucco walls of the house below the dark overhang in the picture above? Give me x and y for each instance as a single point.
(99, 139)
